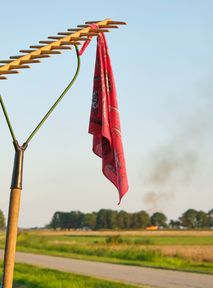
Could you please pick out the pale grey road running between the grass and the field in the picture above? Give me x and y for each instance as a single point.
(129, 274)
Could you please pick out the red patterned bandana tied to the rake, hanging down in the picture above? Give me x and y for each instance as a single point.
(104, 119)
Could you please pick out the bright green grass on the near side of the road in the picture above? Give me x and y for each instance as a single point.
(27, 276)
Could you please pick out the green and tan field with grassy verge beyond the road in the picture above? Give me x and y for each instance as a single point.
(178, 250)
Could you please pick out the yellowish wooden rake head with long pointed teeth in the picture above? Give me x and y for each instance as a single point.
(56, 44)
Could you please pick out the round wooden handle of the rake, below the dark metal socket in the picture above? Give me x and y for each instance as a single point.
(10, 247)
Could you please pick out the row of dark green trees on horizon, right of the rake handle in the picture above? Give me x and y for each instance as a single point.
(110, 219)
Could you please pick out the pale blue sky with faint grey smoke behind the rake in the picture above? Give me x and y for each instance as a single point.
(163, 66)
